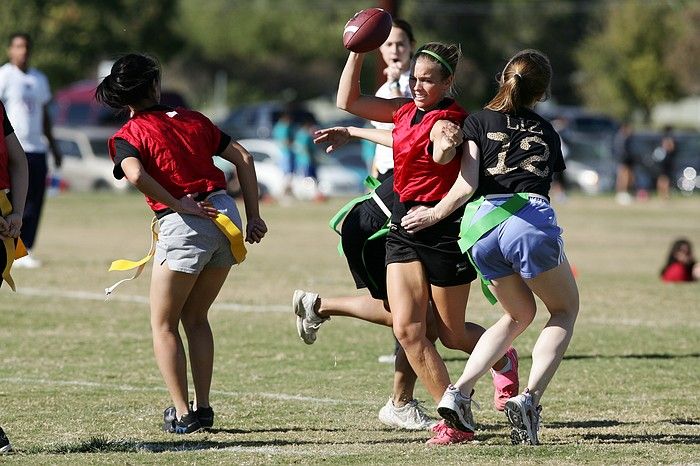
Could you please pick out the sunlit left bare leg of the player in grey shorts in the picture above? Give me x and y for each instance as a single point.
(168, 294)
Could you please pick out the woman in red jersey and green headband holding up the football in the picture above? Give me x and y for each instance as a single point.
(425, 267)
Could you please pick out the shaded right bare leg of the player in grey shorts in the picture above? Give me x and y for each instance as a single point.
(199, 337)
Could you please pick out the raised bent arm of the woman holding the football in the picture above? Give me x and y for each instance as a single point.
(351, 99)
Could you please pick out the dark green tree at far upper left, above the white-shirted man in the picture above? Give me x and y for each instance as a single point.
(72, 36)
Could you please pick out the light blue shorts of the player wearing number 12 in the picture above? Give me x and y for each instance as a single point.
(527, 243)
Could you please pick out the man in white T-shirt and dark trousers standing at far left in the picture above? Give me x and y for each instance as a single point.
(26, 94)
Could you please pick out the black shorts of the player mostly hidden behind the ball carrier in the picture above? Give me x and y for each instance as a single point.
(365, 258)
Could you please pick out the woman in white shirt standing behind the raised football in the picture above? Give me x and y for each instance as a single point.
(396, 52)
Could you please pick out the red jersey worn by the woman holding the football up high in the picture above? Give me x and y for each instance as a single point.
(416, 176)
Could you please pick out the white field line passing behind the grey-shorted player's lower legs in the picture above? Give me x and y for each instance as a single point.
(131, 388)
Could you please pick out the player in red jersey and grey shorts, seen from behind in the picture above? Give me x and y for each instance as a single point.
(167, 153)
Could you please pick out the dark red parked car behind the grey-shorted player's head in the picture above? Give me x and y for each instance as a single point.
(75, 105)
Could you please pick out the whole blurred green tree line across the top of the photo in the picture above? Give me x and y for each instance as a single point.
(616, 56)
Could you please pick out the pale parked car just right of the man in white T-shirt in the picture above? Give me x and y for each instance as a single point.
(86, 163)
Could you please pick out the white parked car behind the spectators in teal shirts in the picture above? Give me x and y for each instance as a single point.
(333, 179)
